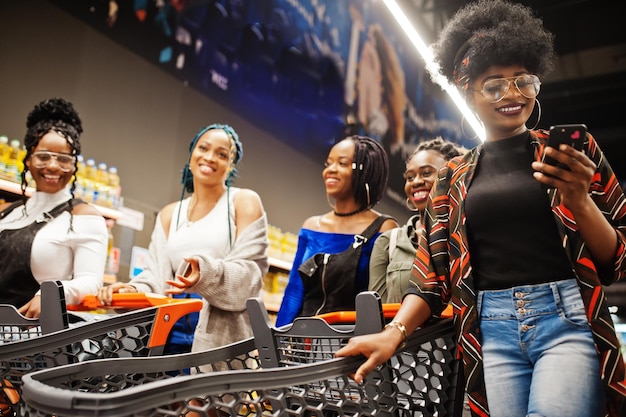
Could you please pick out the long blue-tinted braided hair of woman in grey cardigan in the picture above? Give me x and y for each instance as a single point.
(236, 153)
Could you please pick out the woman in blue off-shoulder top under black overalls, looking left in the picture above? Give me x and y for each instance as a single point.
(355, 176)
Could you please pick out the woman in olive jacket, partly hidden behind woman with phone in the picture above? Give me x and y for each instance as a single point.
(394, 250)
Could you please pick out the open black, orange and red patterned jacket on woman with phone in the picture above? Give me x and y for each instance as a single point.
(442, 268)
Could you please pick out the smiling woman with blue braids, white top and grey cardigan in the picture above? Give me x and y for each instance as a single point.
(211, 243)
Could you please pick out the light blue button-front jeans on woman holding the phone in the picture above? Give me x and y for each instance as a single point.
(538, 351)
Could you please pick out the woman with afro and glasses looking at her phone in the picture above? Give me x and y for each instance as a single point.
(519, 248)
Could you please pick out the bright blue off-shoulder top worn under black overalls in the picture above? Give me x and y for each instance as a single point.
(311, 242)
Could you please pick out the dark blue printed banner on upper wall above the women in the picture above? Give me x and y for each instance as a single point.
(310, 71)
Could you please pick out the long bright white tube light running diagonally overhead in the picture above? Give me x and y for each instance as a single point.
(426, 54)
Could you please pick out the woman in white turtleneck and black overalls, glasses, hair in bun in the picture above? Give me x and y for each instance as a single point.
(50, 235)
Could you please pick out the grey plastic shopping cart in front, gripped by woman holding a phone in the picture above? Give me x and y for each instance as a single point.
(287, 371)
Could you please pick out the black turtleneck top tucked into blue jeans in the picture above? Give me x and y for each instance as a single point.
(513, 237)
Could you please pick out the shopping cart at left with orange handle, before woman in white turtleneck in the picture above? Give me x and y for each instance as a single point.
(141, 330)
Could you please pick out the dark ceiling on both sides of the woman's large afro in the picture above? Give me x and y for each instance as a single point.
(589, 83)
